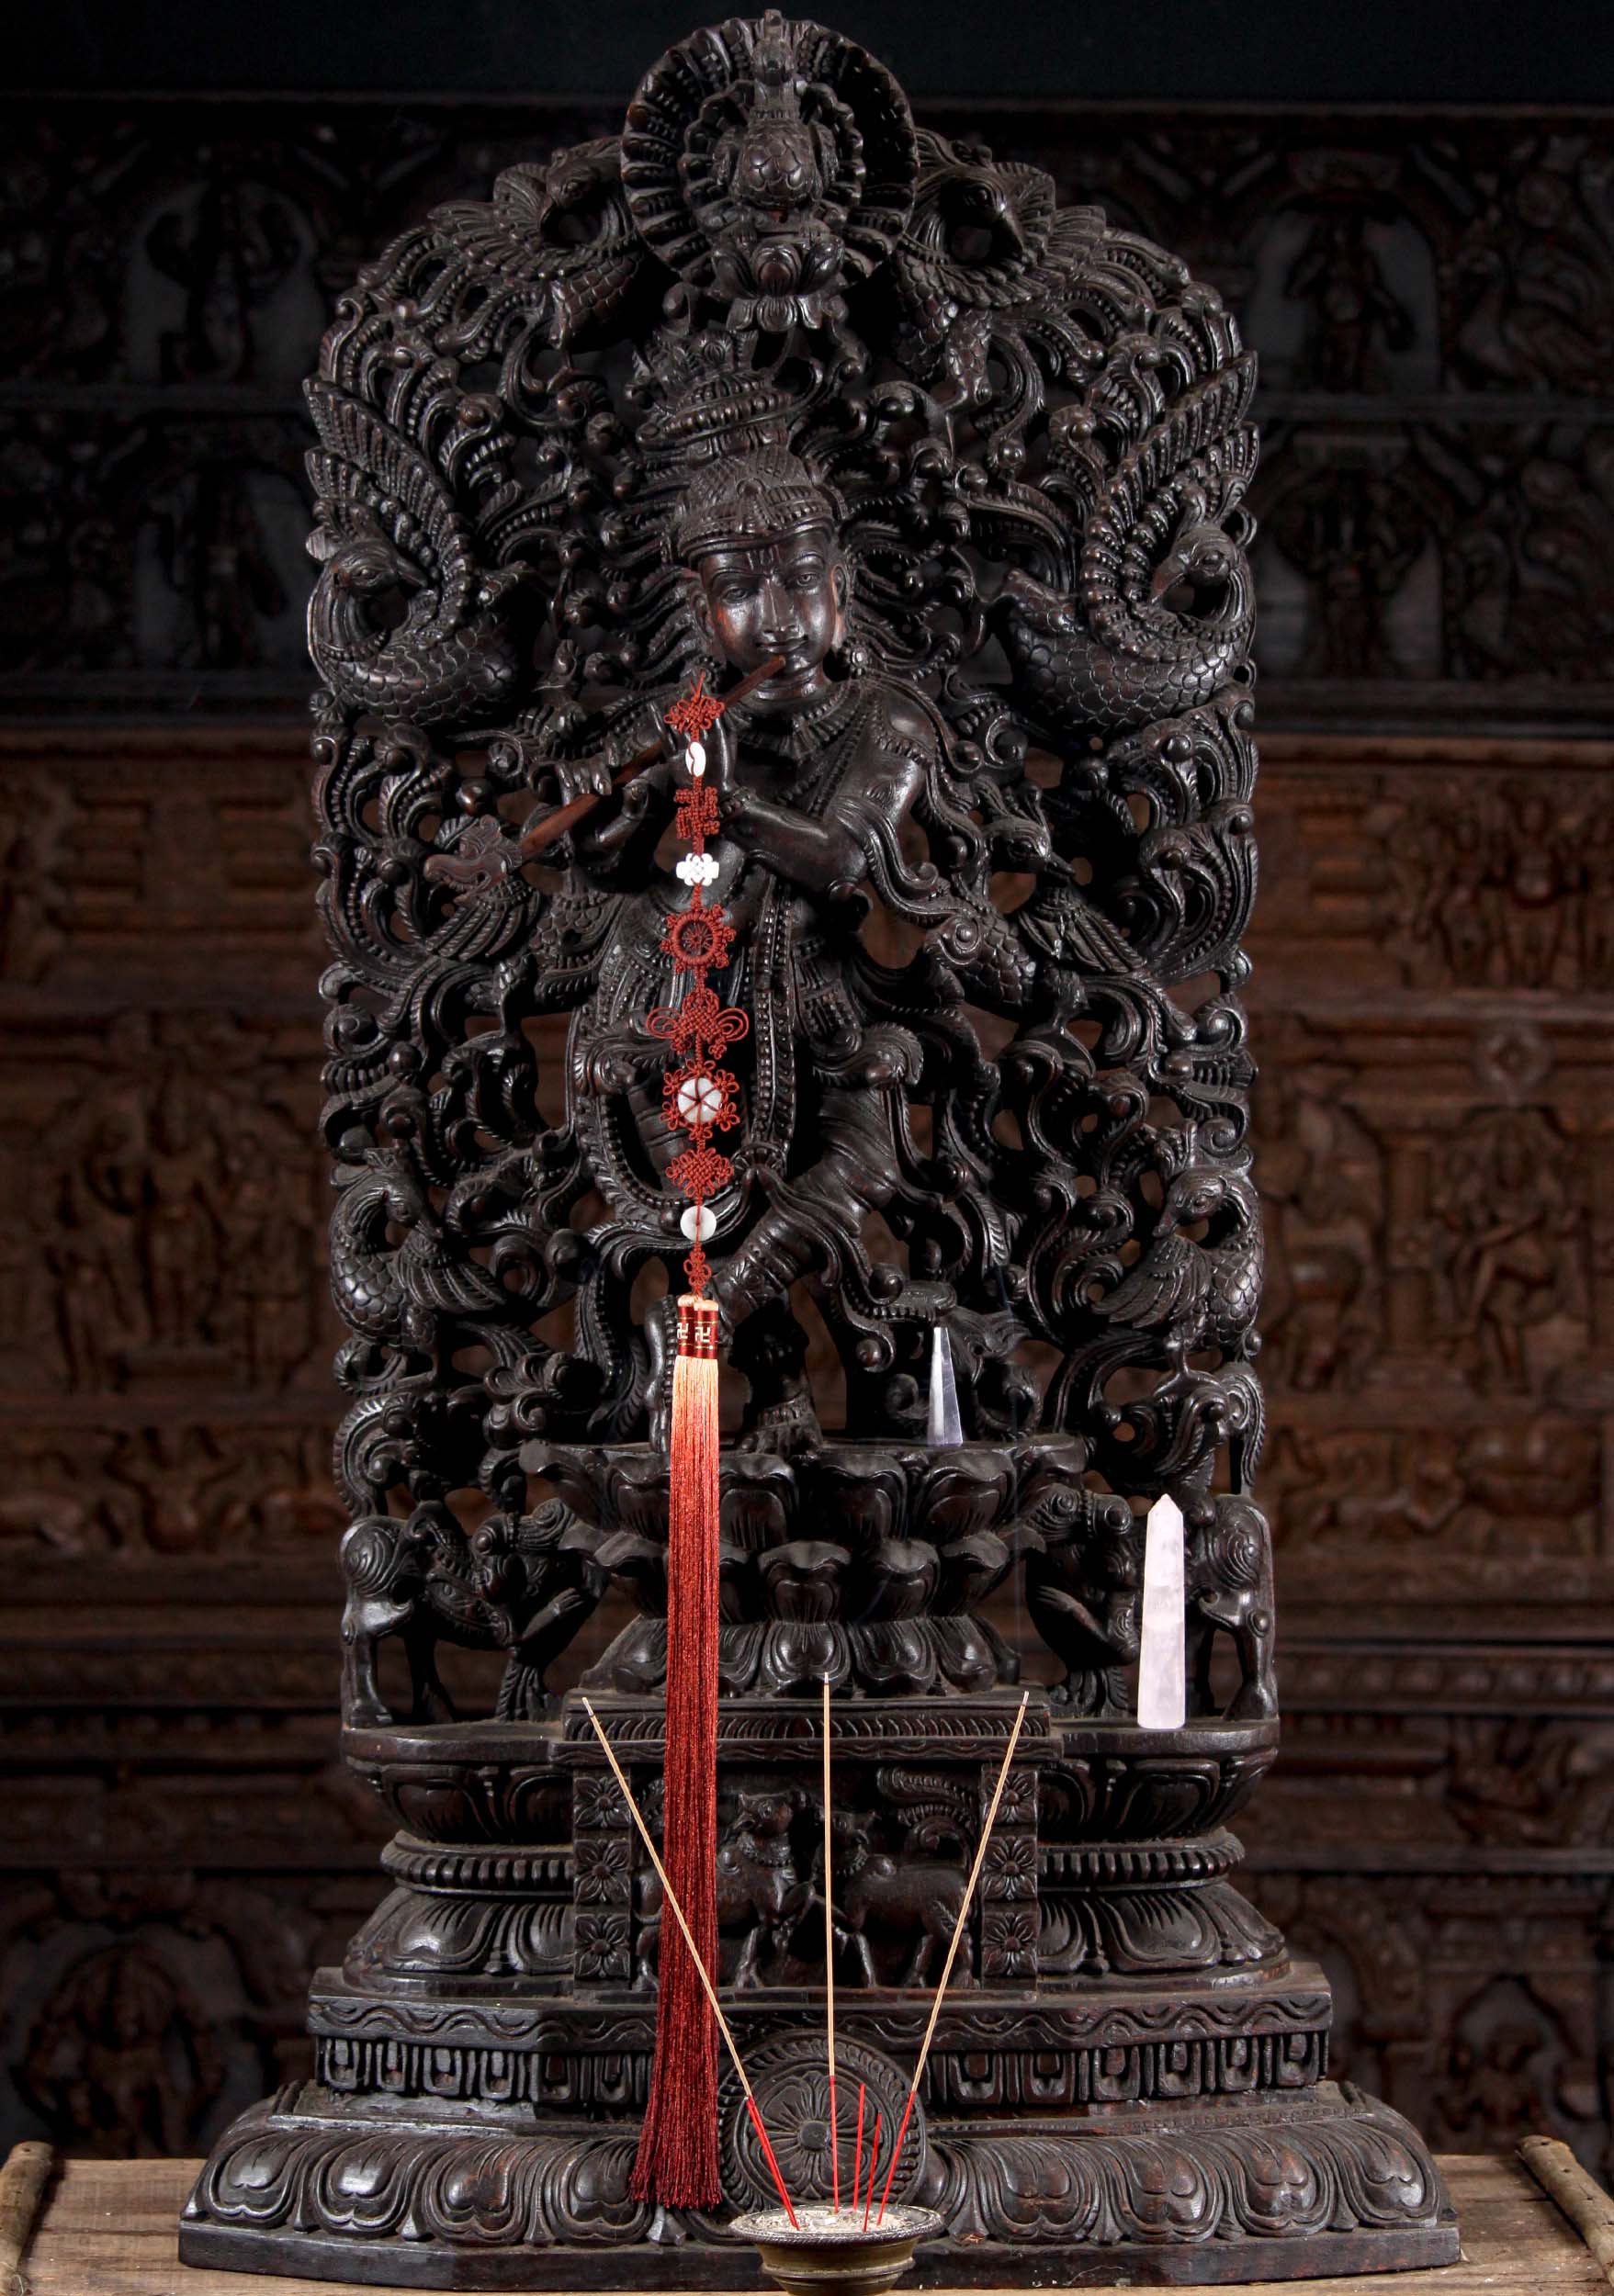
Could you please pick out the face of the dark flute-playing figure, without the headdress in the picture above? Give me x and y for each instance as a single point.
(779, 596)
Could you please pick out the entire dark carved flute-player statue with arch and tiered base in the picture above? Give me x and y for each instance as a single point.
(784, 779)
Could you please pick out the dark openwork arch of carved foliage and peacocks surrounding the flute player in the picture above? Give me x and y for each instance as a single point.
(1037, 426)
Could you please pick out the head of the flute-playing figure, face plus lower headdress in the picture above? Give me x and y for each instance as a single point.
(766, 568)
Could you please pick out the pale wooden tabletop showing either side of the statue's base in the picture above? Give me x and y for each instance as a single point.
(109, 2231)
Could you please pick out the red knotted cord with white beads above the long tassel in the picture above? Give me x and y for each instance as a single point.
(699, 1096)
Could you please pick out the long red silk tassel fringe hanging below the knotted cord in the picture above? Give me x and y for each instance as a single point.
(676, 2159)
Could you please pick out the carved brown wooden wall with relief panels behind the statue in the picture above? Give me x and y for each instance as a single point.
(1415, 212)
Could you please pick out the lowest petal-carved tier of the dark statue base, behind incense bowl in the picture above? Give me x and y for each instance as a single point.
(1268, 2189)
